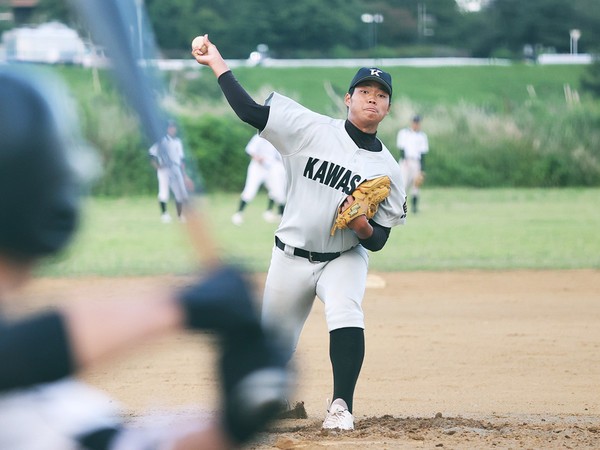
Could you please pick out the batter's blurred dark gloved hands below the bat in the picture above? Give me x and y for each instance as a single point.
(252, 366)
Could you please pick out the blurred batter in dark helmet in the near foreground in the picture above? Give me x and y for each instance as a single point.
(41, 406)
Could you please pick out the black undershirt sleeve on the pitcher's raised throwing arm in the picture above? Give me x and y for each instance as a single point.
(242, 104)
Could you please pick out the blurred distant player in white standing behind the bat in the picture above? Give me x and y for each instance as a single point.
(168, 159)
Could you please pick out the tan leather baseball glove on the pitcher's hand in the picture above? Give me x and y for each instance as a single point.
(367, 197)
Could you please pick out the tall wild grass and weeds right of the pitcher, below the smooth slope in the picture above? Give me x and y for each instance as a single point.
(537, 145)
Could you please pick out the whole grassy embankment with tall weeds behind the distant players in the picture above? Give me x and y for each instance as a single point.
(490, 126)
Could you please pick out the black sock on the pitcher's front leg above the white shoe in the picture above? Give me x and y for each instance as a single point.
(346, 352)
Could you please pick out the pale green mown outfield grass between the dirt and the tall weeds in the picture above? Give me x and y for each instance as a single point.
(457, 229)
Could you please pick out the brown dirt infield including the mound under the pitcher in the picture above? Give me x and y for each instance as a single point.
(454, 360)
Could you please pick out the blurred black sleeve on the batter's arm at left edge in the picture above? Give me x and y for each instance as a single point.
(34, 351)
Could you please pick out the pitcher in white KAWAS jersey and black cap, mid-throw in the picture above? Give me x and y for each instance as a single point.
(324, 160)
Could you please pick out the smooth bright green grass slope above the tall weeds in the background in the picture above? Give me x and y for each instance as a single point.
(495, 87)
